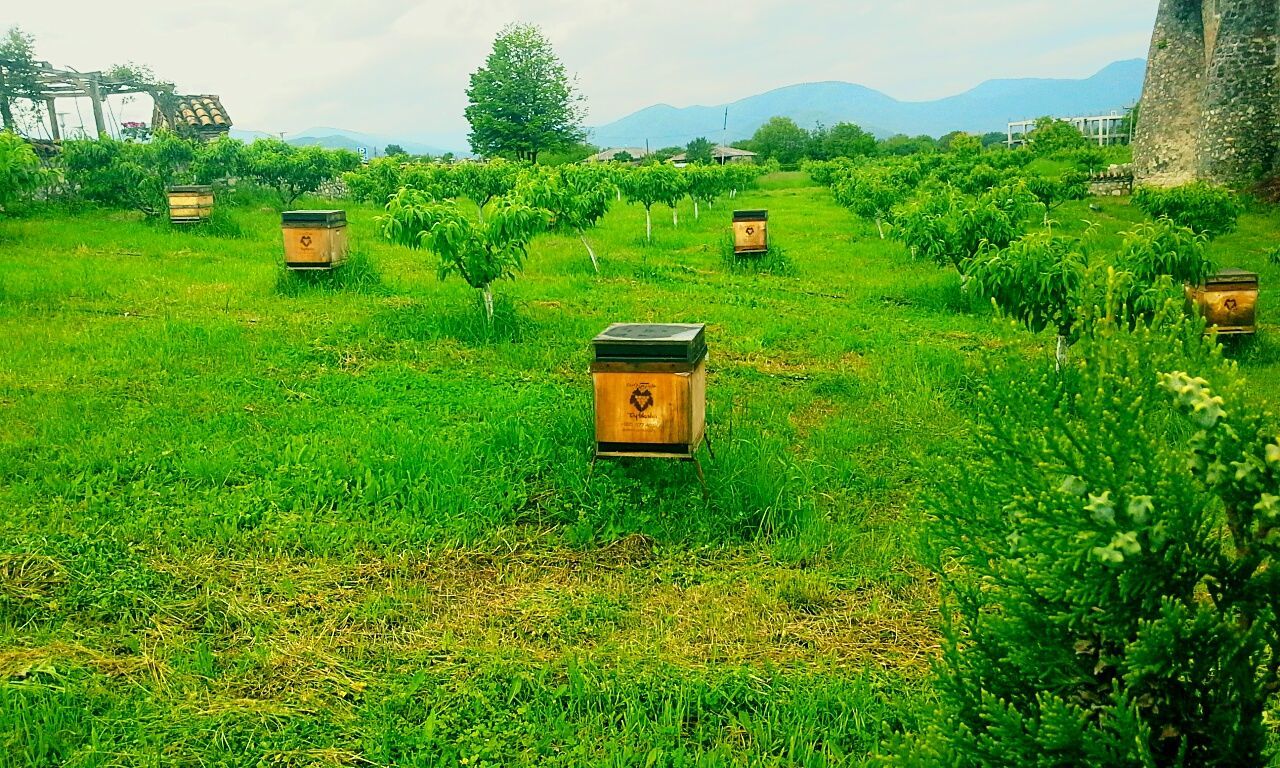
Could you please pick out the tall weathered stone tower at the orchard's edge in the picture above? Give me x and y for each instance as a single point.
(1212, 107)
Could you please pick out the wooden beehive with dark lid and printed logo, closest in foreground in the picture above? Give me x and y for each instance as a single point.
(651, 390)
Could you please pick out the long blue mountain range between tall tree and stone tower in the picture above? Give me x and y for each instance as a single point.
(986, 108)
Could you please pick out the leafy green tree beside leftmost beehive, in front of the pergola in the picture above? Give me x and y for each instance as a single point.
(127, 175)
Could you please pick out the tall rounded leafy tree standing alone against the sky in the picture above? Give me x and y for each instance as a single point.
(523, 102)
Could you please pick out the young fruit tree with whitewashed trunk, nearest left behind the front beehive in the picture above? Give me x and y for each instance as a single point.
(479, 253)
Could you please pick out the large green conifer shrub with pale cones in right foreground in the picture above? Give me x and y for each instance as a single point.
(1108, 565)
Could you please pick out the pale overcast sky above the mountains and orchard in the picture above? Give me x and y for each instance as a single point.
(400, 67)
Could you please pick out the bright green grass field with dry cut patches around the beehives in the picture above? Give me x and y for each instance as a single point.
(254, 520)
